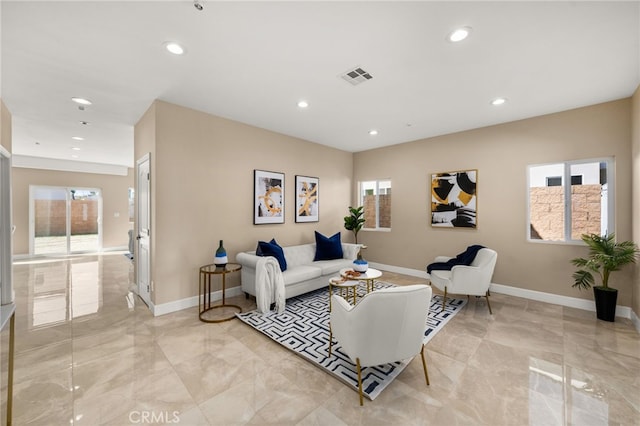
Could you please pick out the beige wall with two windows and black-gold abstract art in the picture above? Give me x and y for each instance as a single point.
(500, 154)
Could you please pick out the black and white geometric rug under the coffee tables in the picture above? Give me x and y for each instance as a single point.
(304, 328)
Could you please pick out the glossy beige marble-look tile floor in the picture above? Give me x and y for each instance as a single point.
(85, 356)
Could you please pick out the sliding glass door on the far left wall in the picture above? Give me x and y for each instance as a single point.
(65, 220)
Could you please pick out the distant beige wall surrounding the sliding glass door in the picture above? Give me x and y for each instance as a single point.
(114, 196)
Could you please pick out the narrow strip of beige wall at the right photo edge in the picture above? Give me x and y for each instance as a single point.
(635, 135)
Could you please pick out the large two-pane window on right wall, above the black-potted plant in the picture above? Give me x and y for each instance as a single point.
(561, 212)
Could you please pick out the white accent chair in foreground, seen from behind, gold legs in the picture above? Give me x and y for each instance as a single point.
(386, 326)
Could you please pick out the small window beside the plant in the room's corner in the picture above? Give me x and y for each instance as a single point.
(375, 196)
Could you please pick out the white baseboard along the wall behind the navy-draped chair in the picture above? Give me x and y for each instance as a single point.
(572, 302)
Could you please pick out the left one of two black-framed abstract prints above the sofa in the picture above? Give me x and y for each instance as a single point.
(268, 197)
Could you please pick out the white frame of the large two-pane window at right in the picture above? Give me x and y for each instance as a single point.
(566, 184)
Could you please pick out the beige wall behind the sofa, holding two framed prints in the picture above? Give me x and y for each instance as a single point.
(202, 191)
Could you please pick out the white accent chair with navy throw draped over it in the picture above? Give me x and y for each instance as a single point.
(474, 279)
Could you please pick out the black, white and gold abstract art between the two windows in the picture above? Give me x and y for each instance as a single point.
(454, 199)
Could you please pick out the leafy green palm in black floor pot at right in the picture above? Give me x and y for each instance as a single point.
(605, 257)
